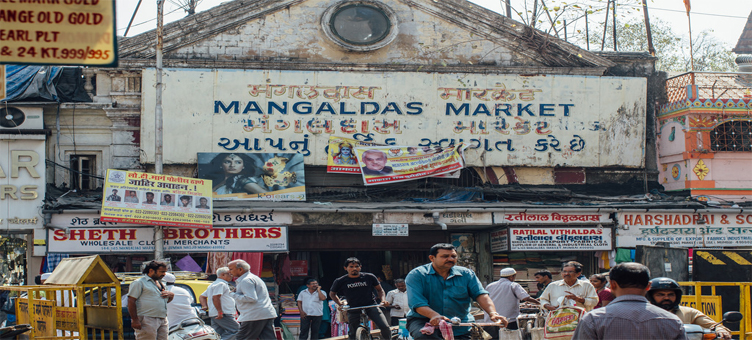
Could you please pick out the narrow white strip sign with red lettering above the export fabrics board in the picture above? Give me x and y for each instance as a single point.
(527, 218)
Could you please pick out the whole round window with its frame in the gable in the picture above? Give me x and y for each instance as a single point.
(360, 26)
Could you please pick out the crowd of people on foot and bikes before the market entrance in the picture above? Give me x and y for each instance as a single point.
(624, 304)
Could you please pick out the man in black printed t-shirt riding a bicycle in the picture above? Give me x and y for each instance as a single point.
(357, 288)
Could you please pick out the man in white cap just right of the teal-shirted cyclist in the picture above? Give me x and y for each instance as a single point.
(506, 296)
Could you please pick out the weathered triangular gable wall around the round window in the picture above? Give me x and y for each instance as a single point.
(446, 32)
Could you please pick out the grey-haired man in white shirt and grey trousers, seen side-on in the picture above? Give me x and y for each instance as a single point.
(257, 313)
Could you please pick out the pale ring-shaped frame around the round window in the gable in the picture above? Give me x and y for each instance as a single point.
(386, 39)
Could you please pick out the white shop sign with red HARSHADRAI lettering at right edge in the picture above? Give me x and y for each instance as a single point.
(684, 229)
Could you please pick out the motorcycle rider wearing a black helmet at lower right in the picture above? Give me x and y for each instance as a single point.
(666, 293)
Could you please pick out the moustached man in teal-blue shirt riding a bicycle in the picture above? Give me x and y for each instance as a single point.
(440, 291)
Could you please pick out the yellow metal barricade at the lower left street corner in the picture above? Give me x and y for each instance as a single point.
(71, 312)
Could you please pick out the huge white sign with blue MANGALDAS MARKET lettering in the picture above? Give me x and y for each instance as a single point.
(503, 119)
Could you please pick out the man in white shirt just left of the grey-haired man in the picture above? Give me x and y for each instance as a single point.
(221, 307)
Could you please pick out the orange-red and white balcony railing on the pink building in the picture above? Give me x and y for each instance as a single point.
(709, 85)
